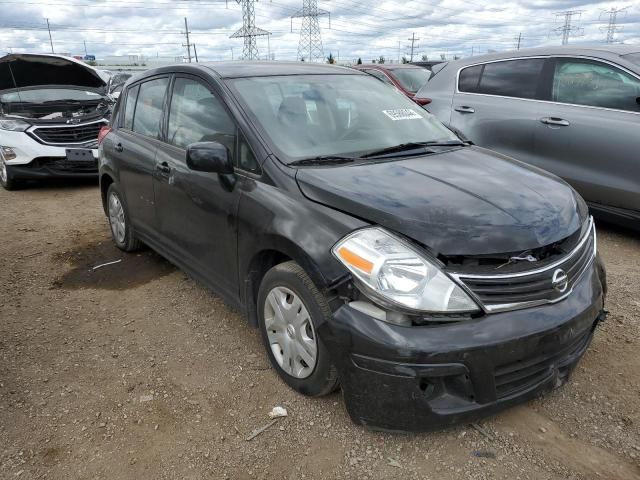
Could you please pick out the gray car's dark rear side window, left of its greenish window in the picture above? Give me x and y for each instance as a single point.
(511, 78)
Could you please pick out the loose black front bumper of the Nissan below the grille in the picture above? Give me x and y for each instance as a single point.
(424, 378)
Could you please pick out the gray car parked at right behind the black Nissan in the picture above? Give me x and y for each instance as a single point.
(574, 111)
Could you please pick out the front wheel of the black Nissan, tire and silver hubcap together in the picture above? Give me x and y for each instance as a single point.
(289, 343)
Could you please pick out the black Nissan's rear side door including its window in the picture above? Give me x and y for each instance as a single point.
(134, 149)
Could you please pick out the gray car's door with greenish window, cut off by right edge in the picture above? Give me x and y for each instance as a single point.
(588, 133)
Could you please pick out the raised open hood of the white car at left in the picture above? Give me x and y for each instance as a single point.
(27, 71)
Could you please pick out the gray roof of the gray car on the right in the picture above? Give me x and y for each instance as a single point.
(606, 51)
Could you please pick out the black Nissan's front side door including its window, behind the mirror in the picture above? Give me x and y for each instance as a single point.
(196, 211)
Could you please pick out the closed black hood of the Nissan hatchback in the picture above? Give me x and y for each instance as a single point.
(467, 201)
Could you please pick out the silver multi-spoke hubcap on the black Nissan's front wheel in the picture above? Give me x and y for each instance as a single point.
(291, 335)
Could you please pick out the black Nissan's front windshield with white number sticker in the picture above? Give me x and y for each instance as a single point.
(307, 116)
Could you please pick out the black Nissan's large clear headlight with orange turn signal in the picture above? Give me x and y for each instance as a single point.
(398, 273)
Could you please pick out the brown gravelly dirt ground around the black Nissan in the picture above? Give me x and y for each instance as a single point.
(134, 371)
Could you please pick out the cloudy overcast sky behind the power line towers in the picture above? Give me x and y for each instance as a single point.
(358, 28)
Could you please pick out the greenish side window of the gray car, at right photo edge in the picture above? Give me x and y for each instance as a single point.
(595, 84)
